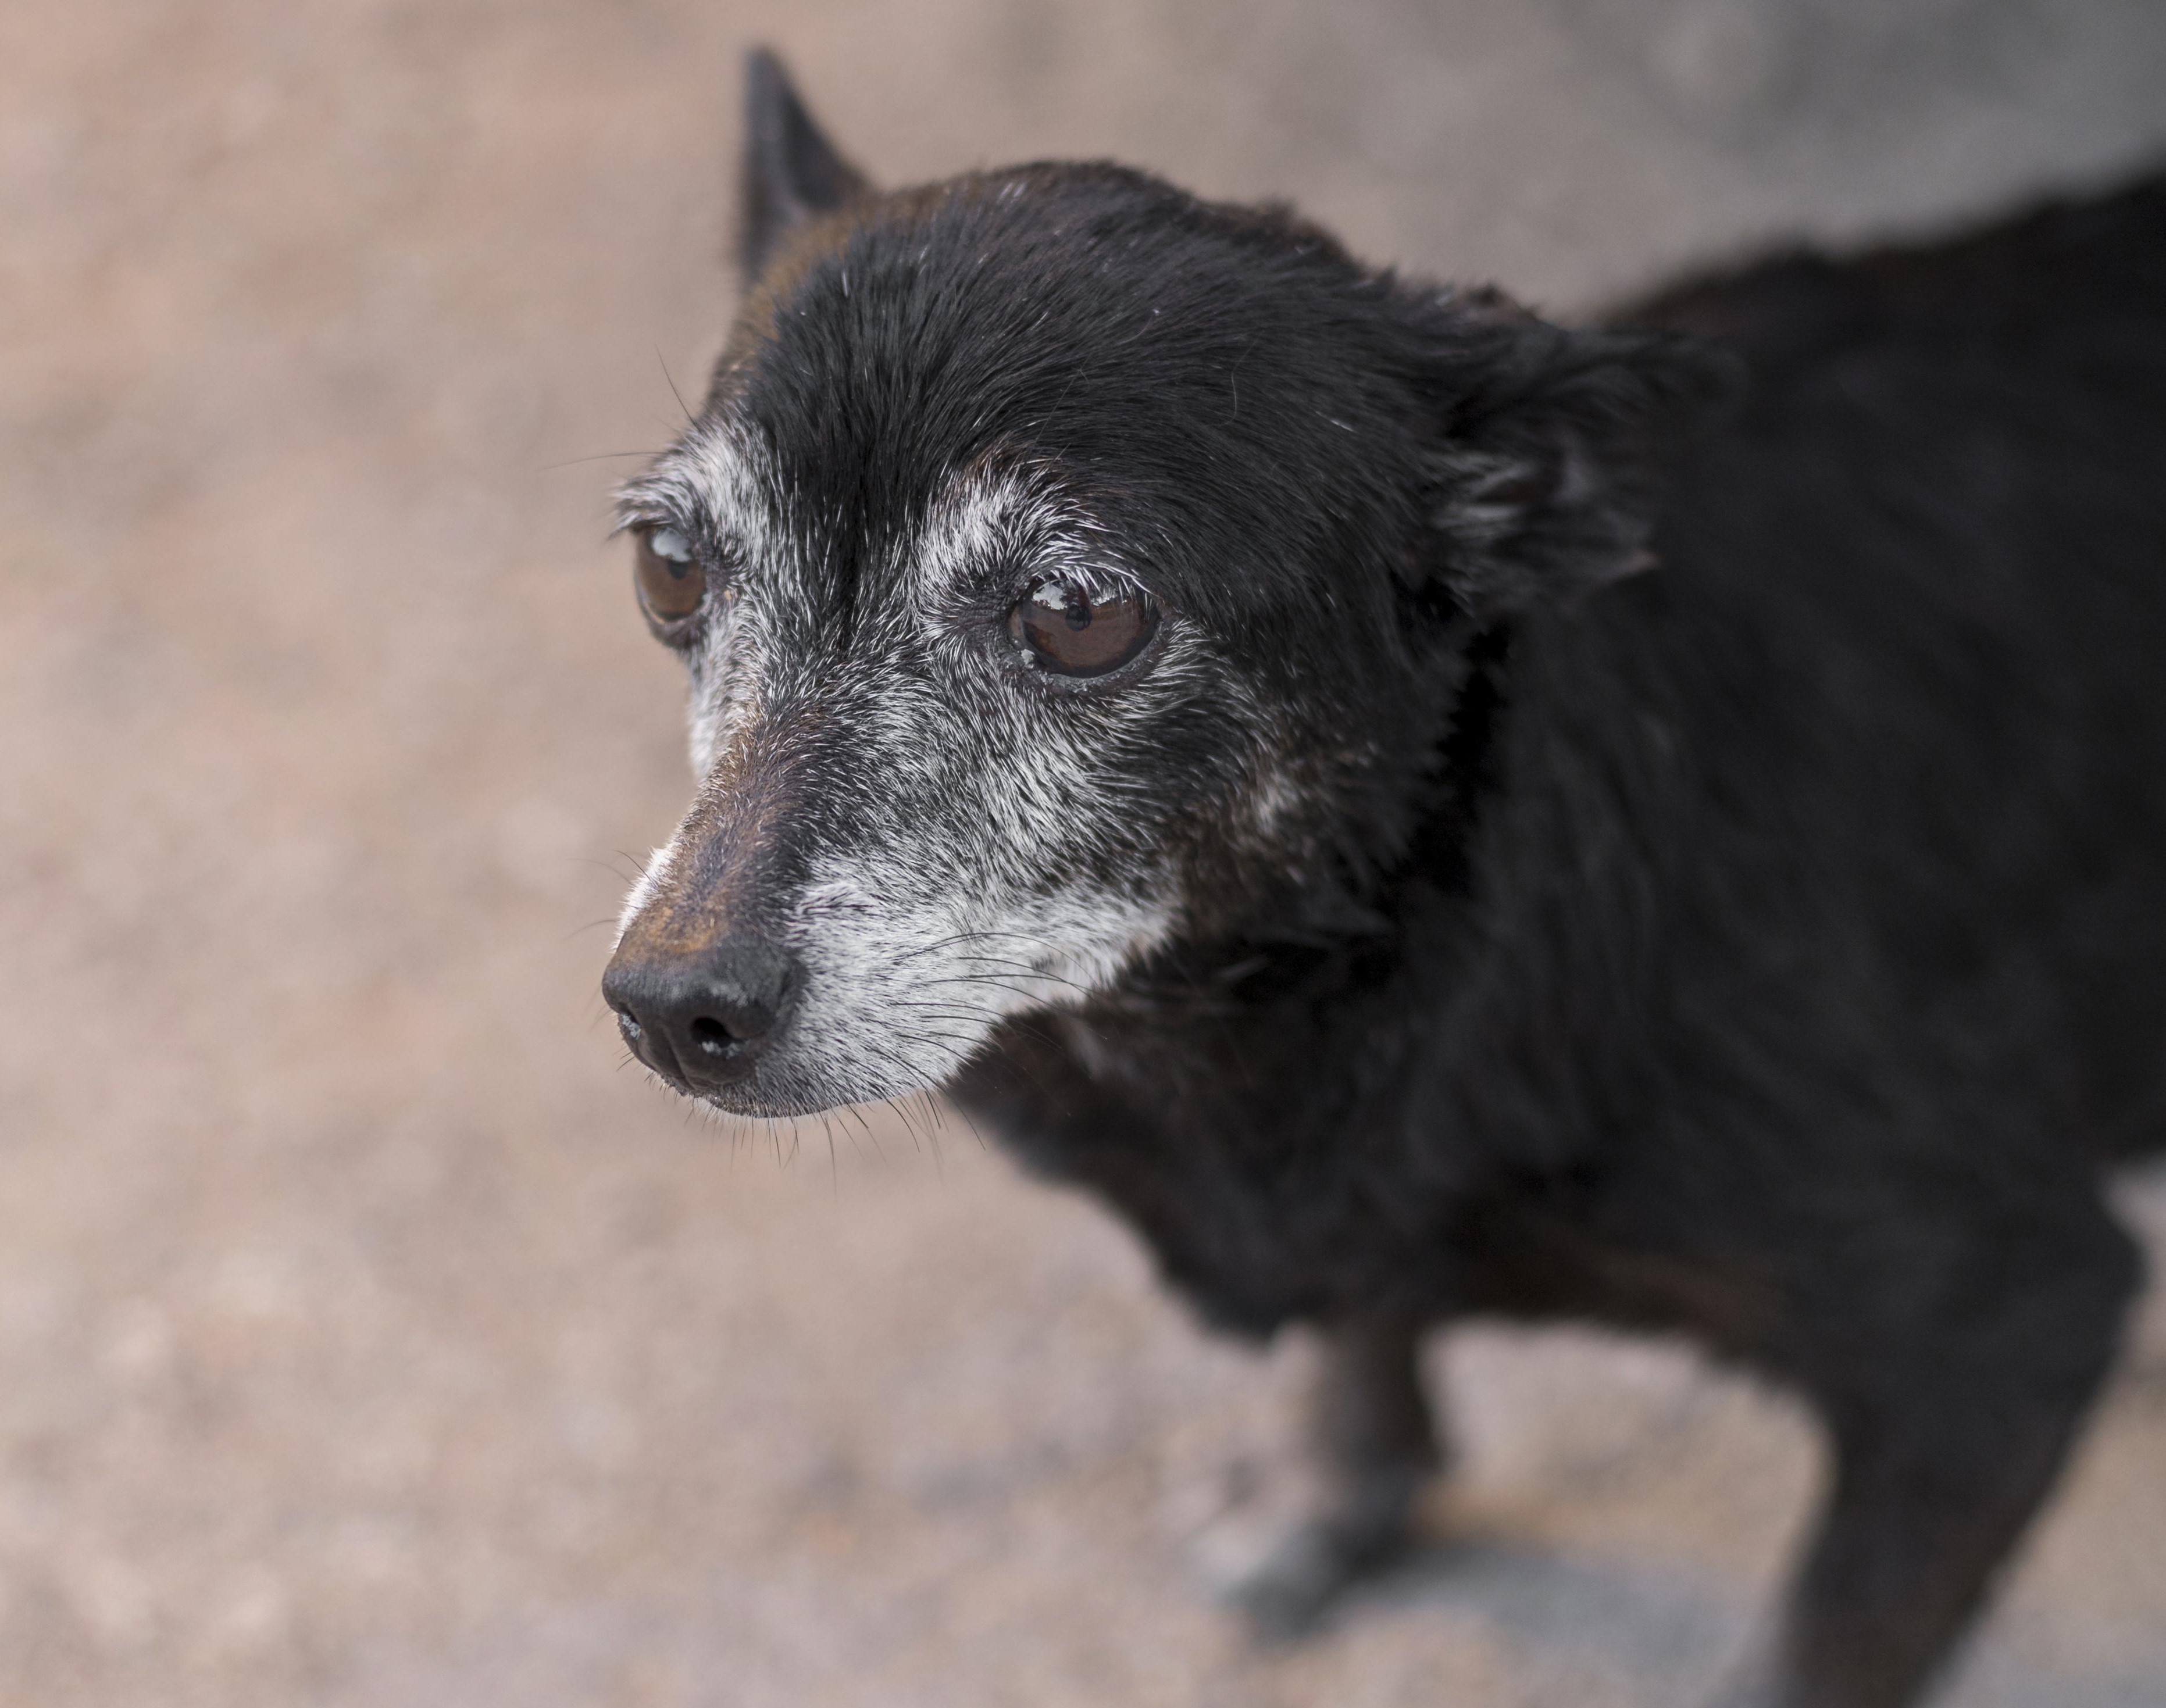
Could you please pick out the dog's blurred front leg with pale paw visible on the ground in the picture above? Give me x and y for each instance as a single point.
(1370, 1445)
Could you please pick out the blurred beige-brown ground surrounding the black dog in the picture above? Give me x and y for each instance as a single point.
(367, 1337)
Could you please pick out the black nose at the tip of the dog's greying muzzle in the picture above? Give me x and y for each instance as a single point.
(701, 1021)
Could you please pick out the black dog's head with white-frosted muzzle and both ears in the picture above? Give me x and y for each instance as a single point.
(1069, 568)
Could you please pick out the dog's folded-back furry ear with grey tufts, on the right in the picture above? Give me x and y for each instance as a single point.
(1554, 451)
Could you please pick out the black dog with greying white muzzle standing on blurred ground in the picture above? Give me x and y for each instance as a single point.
(1435, 813)
